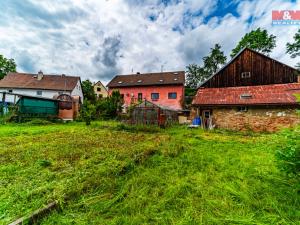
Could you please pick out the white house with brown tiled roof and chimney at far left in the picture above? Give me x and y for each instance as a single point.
(47, 86)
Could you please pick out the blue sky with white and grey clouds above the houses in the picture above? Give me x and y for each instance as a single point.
(98, 39)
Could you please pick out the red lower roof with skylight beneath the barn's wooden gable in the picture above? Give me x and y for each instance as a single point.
(282, 94)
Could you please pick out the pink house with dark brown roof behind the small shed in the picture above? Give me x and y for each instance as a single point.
(165, 89)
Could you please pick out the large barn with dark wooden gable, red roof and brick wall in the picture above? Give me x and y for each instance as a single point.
(252, 91)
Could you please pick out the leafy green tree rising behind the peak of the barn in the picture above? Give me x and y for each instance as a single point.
(258, 40)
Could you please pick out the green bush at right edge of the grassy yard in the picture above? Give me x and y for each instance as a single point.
(288, 157)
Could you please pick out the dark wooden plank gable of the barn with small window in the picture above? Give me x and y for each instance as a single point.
(250, 68)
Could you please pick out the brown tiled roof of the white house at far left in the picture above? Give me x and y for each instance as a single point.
(30, 81)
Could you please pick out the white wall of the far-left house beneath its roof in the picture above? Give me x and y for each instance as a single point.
(30, 92)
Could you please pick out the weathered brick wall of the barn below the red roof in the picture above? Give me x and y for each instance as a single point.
(256, 119)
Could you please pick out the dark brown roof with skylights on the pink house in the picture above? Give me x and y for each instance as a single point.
(148, 79)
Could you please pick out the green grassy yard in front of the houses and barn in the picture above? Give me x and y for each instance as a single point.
(112, 174)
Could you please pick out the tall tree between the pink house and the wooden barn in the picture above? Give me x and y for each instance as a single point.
(211, 63)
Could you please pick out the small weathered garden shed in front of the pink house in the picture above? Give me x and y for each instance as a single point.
(148, 113)
